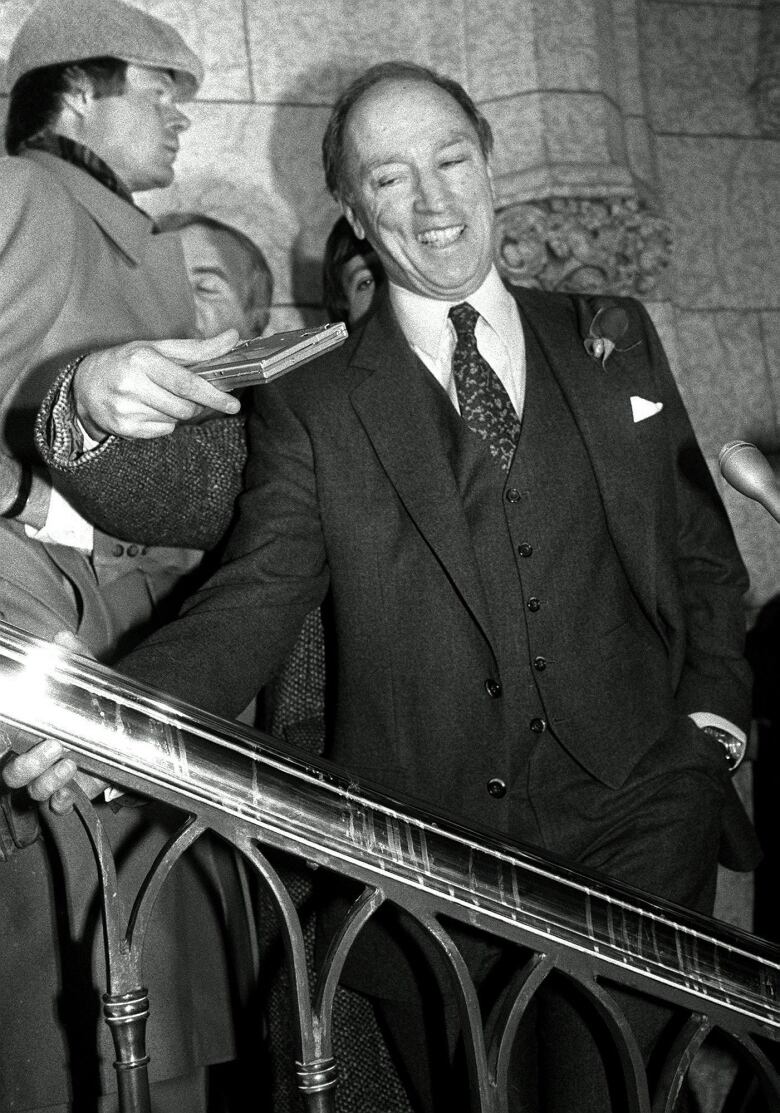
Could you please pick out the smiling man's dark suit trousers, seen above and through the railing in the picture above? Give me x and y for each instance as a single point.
(660, 833)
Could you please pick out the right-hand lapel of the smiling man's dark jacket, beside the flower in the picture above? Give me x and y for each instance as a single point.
(599, 399)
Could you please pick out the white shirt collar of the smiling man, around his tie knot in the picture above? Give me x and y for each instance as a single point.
(424, 320)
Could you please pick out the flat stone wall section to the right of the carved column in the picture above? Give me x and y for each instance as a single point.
(719, 166)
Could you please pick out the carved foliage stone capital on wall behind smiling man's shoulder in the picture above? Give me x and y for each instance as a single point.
(584, 245)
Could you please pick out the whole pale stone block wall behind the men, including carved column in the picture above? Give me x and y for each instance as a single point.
(651, 124)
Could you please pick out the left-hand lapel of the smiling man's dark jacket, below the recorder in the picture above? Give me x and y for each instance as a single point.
(397, 405)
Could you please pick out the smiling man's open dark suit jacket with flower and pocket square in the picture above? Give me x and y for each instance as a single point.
(351, 494)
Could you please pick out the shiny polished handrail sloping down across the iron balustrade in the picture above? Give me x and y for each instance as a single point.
(248, 786)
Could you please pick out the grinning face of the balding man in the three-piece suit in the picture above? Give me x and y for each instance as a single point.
(420, 191)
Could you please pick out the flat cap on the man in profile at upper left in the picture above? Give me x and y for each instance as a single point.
(58, 32)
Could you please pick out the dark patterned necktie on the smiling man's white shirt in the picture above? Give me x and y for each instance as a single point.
(485, 403)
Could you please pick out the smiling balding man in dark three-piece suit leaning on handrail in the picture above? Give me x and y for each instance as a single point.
(536, 594)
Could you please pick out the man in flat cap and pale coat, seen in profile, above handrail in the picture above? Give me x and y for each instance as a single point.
(95, 116)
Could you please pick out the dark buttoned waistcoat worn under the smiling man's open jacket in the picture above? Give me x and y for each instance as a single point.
(571, 639)
